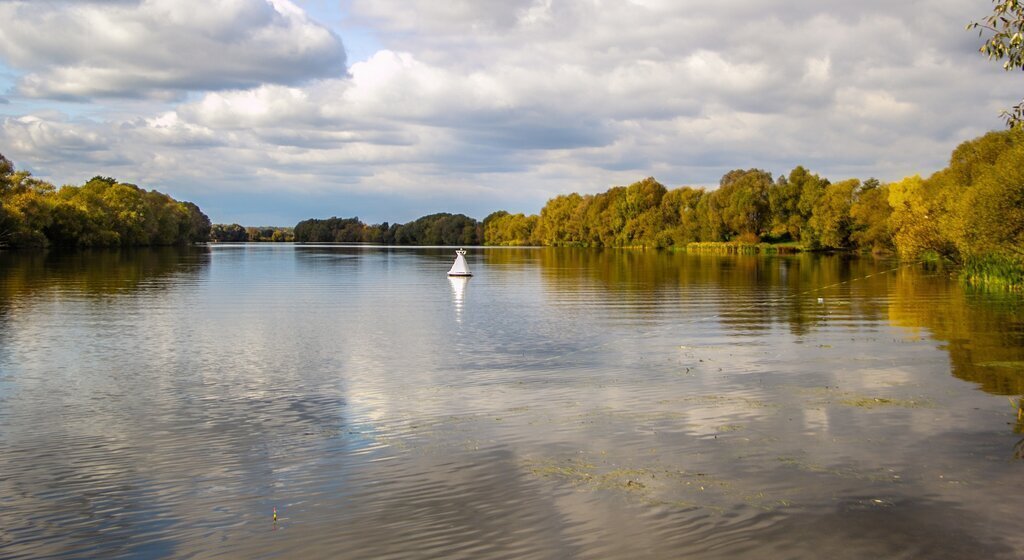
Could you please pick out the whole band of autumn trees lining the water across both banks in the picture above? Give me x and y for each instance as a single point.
(970, 213)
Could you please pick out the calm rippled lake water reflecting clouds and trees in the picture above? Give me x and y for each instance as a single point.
(560, 404)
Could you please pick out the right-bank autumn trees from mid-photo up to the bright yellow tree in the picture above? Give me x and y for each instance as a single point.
(749, 206)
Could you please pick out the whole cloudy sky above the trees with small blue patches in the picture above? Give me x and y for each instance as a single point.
(270, 112)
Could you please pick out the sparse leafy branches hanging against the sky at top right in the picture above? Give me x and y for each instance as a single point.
(1006, 42)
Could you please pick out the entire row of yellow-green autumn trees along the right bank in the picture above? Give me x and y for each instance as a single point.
(971, 212)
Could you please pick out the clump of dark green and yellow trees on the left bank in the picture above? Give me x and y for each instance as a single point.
(101, 213)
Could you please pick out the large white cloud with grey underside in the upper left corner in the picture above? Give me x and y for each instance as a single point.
(160, 49)
